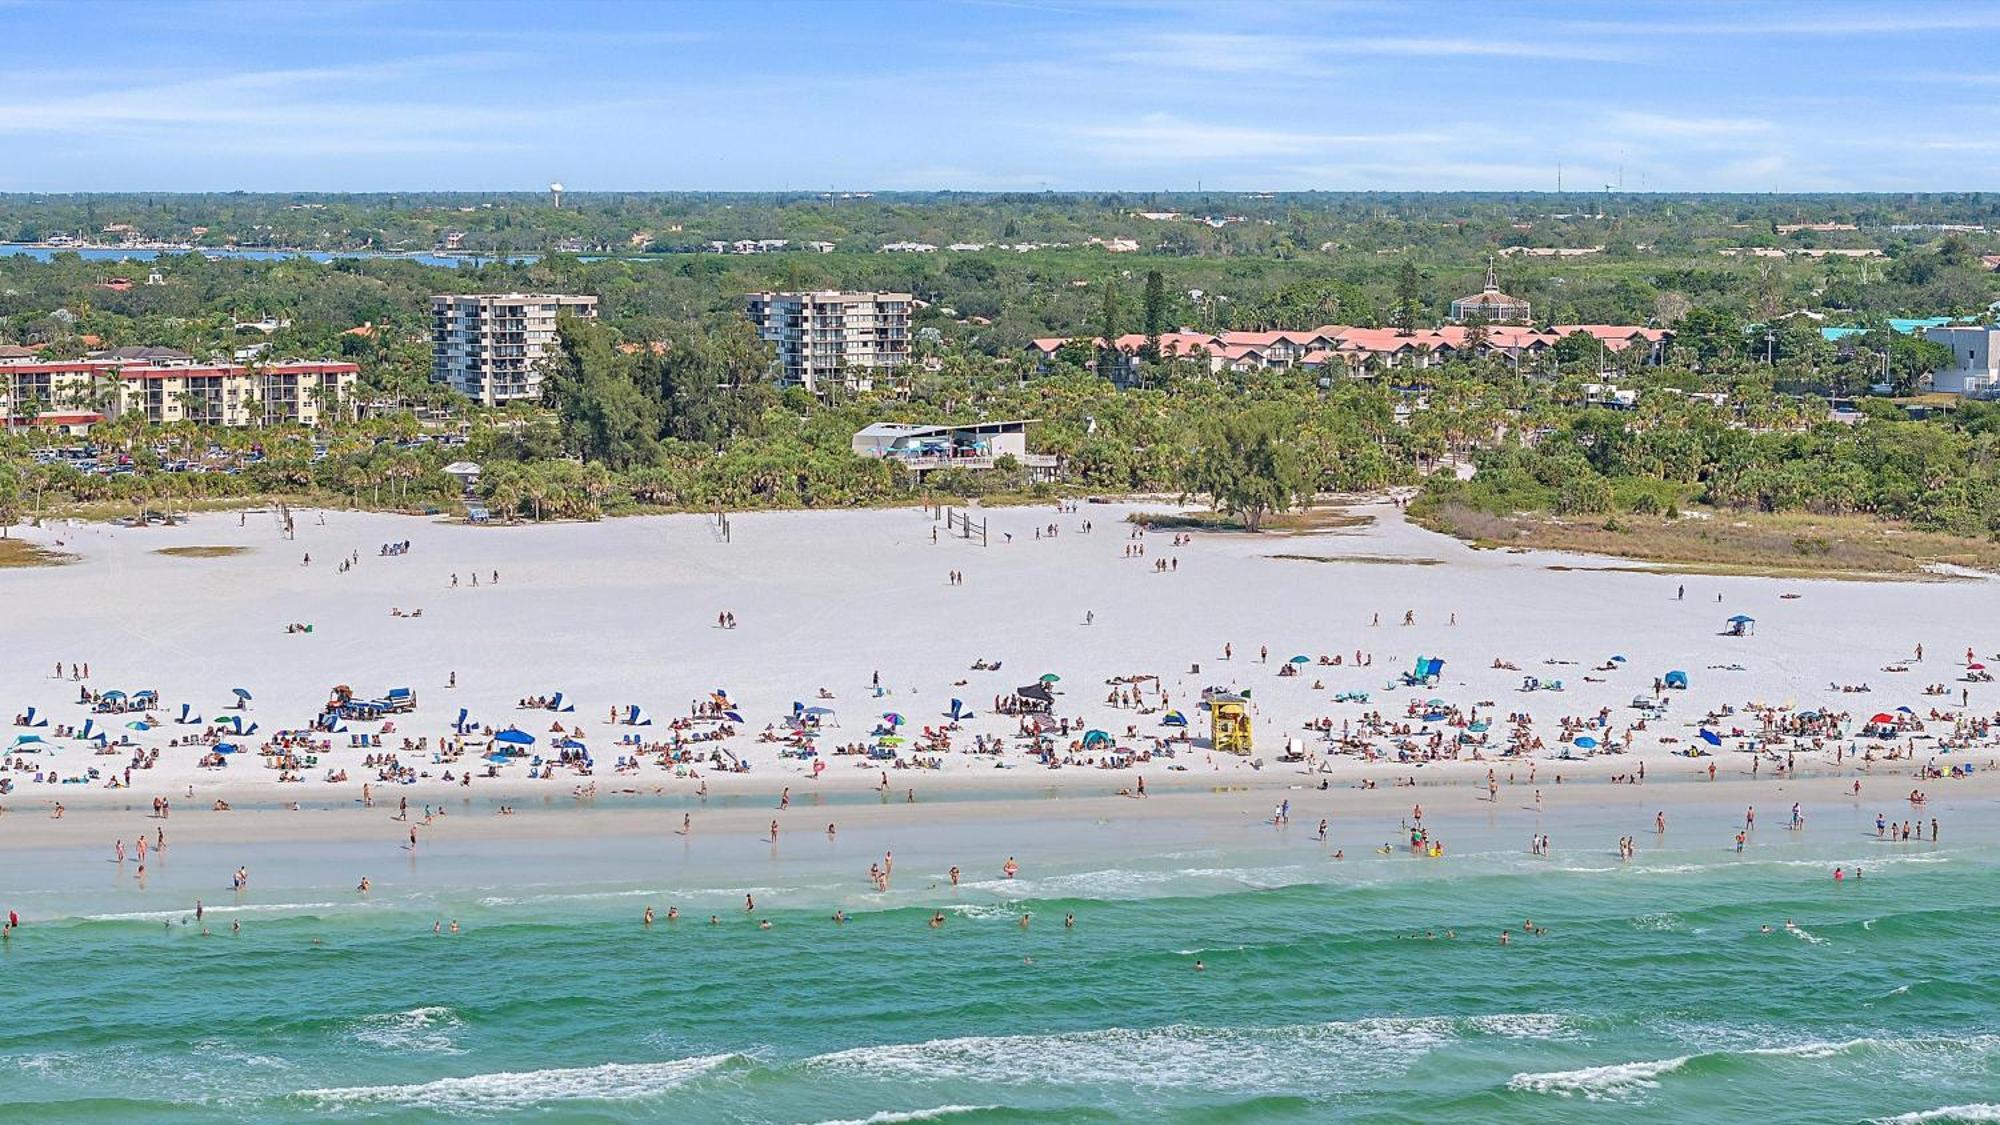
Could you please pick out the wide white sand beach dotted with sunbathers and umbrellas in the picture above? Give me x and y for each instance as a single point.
(625, 614)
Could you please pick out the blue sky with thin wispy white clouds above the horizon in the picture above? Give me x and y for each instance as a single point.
(999, 95)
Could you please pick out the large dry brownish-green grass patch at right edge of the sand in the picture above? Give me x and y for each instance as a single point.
(1759, 545)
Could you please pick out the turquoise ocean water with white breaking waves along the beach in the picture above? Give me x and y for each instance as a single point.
(1655, 998)
